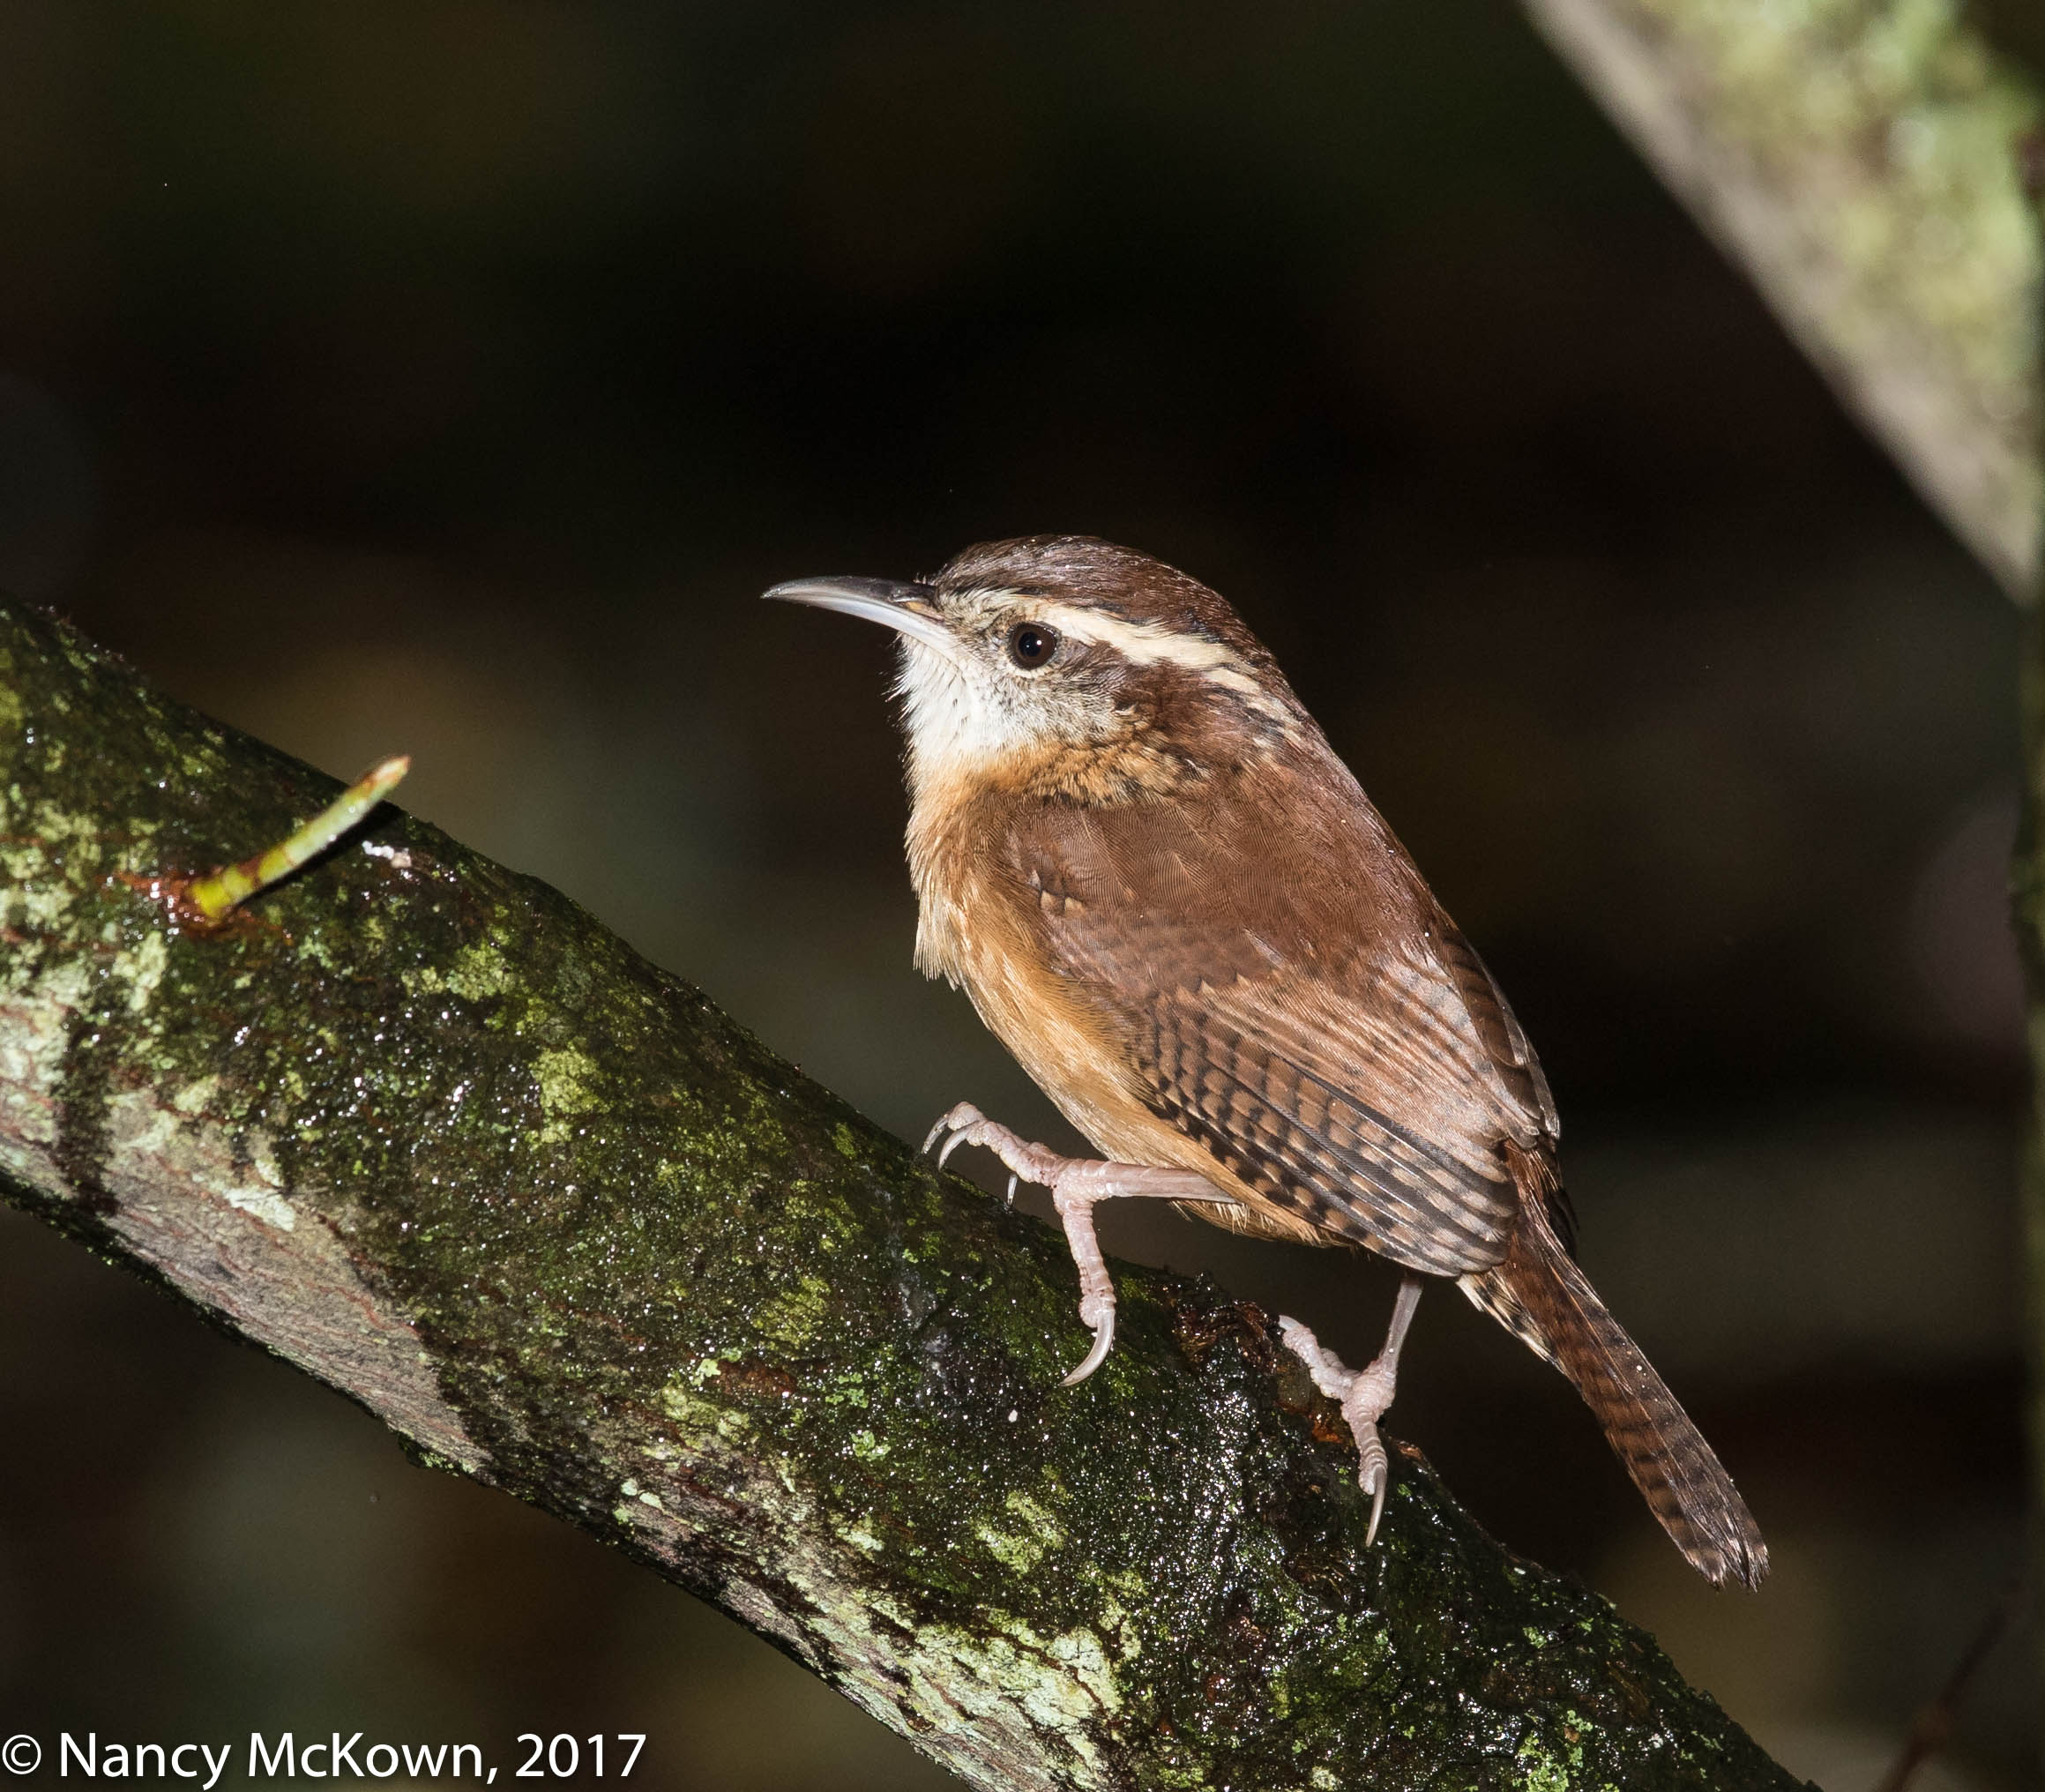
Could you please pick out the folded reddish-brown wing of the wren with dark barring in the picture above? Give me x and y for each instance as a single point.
(1330, 1038)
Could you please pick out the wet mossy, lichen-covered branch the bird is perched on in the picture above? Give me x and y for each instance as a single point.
(426, 1130)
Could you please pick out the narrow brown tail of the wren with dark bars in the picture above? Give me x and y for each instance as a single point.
(1545, 1300)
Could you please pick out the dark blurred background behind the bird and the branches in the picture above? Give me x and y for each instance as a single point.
(449, 377)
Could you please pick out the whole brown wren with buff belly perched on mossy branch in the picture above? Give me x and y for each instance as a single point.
(1173, 903)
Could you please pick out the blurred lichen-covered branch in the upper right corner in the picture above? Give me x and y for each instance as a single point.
(1868, 165)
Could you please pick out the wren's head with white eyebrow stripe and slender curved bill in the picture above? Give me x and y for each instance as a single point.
(1071, 668)
